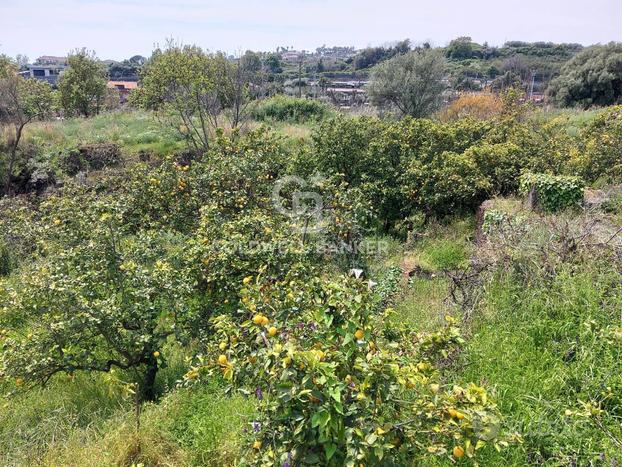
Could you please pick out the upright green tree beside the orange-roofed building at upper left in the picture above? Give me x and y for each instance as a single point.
(82, 85)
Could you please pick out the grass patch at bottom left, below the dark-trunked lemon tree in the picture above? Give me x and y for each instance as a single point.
(199, 426)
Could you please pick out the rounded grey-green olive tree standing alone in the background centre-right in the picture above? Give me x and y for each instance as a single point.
(411, 83)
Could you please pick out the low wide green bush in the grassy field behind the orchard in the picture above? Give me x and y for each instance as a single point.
(290, 109)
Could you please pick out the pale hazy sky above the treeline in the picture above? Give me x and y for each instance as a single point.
(120, 28)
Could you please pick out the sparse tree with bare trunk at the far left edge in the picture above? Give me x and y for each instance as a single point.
(22, 101)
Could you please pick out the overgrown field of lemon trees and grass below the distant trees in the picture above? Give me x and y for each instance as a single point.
(317, 291)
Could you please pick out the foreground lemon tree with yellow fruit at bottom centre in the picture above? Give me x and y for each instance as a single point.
(329, 387)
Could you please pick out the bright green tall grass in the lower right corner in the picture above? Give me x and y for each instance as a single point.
(543, 350)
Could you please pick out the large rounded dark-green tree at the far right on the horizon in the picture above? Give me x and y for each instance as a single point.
(592, 77)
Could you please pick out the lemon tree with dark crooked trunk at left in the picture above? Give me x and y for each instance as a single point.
(102, 303)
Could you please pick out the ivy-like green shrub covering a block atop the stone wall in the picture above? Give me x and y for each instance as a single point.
(552, 192)
